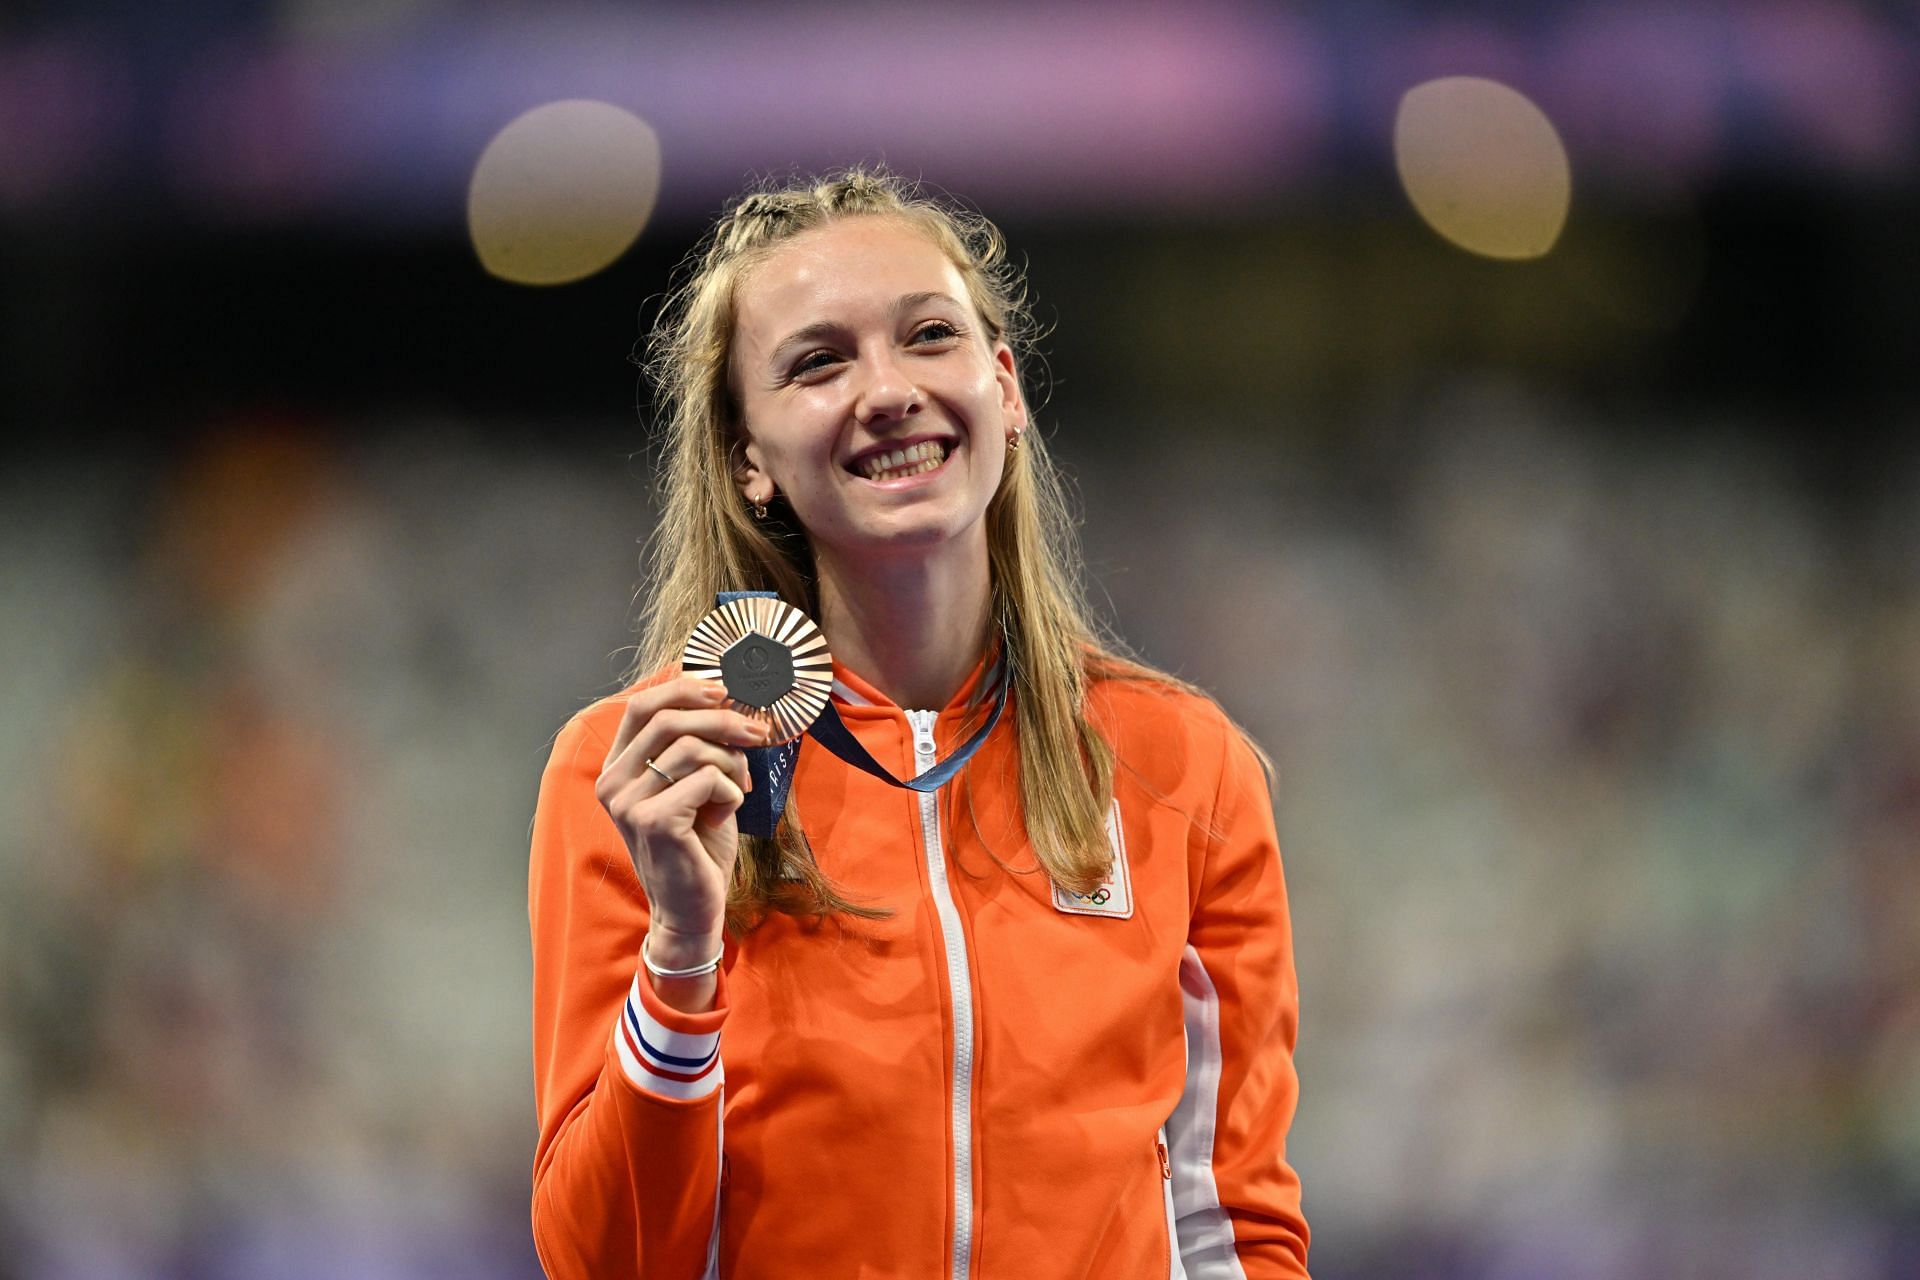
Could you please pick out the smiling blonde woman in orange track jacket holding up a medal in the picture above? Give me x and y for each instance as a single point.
(1034, 1024)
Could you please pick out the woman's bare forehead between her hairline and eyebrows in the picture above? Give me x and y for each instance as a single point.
(842, 272)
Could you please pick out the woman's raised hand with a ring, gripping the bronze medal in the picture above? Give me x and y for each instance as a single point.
(683, 836)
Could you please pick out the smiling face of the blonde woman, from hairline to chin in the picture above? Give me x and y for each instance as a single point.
(855, 344)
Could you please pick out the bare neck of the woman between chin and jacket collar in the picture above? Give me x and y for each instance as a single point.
(915, 627)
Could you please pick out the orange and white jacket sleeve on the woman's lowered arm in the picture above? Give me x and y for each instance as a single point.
(1236, 1198)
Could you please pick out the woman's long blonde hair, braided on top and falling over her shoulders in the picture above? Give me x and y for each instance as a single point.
(706, 540)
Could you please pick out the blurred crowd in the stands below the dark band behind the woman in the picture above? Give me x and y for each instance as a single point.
(1598, 788)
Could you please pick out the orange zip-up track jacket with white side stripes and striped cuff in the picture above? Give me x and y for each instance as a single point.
(1001, 1079)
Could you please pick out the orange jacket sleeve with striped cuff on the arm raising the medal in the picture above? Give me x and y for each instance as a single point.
(627, 1089)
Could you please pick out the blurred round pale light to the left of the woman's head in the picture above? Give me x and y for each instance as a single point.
(564, 191)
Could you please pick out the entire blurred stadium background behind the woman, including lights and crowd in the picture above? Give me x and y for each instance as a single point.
(1529, 460)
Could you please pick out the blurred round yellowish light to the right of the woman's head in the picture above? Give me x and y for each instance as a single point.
(1483, 166)
